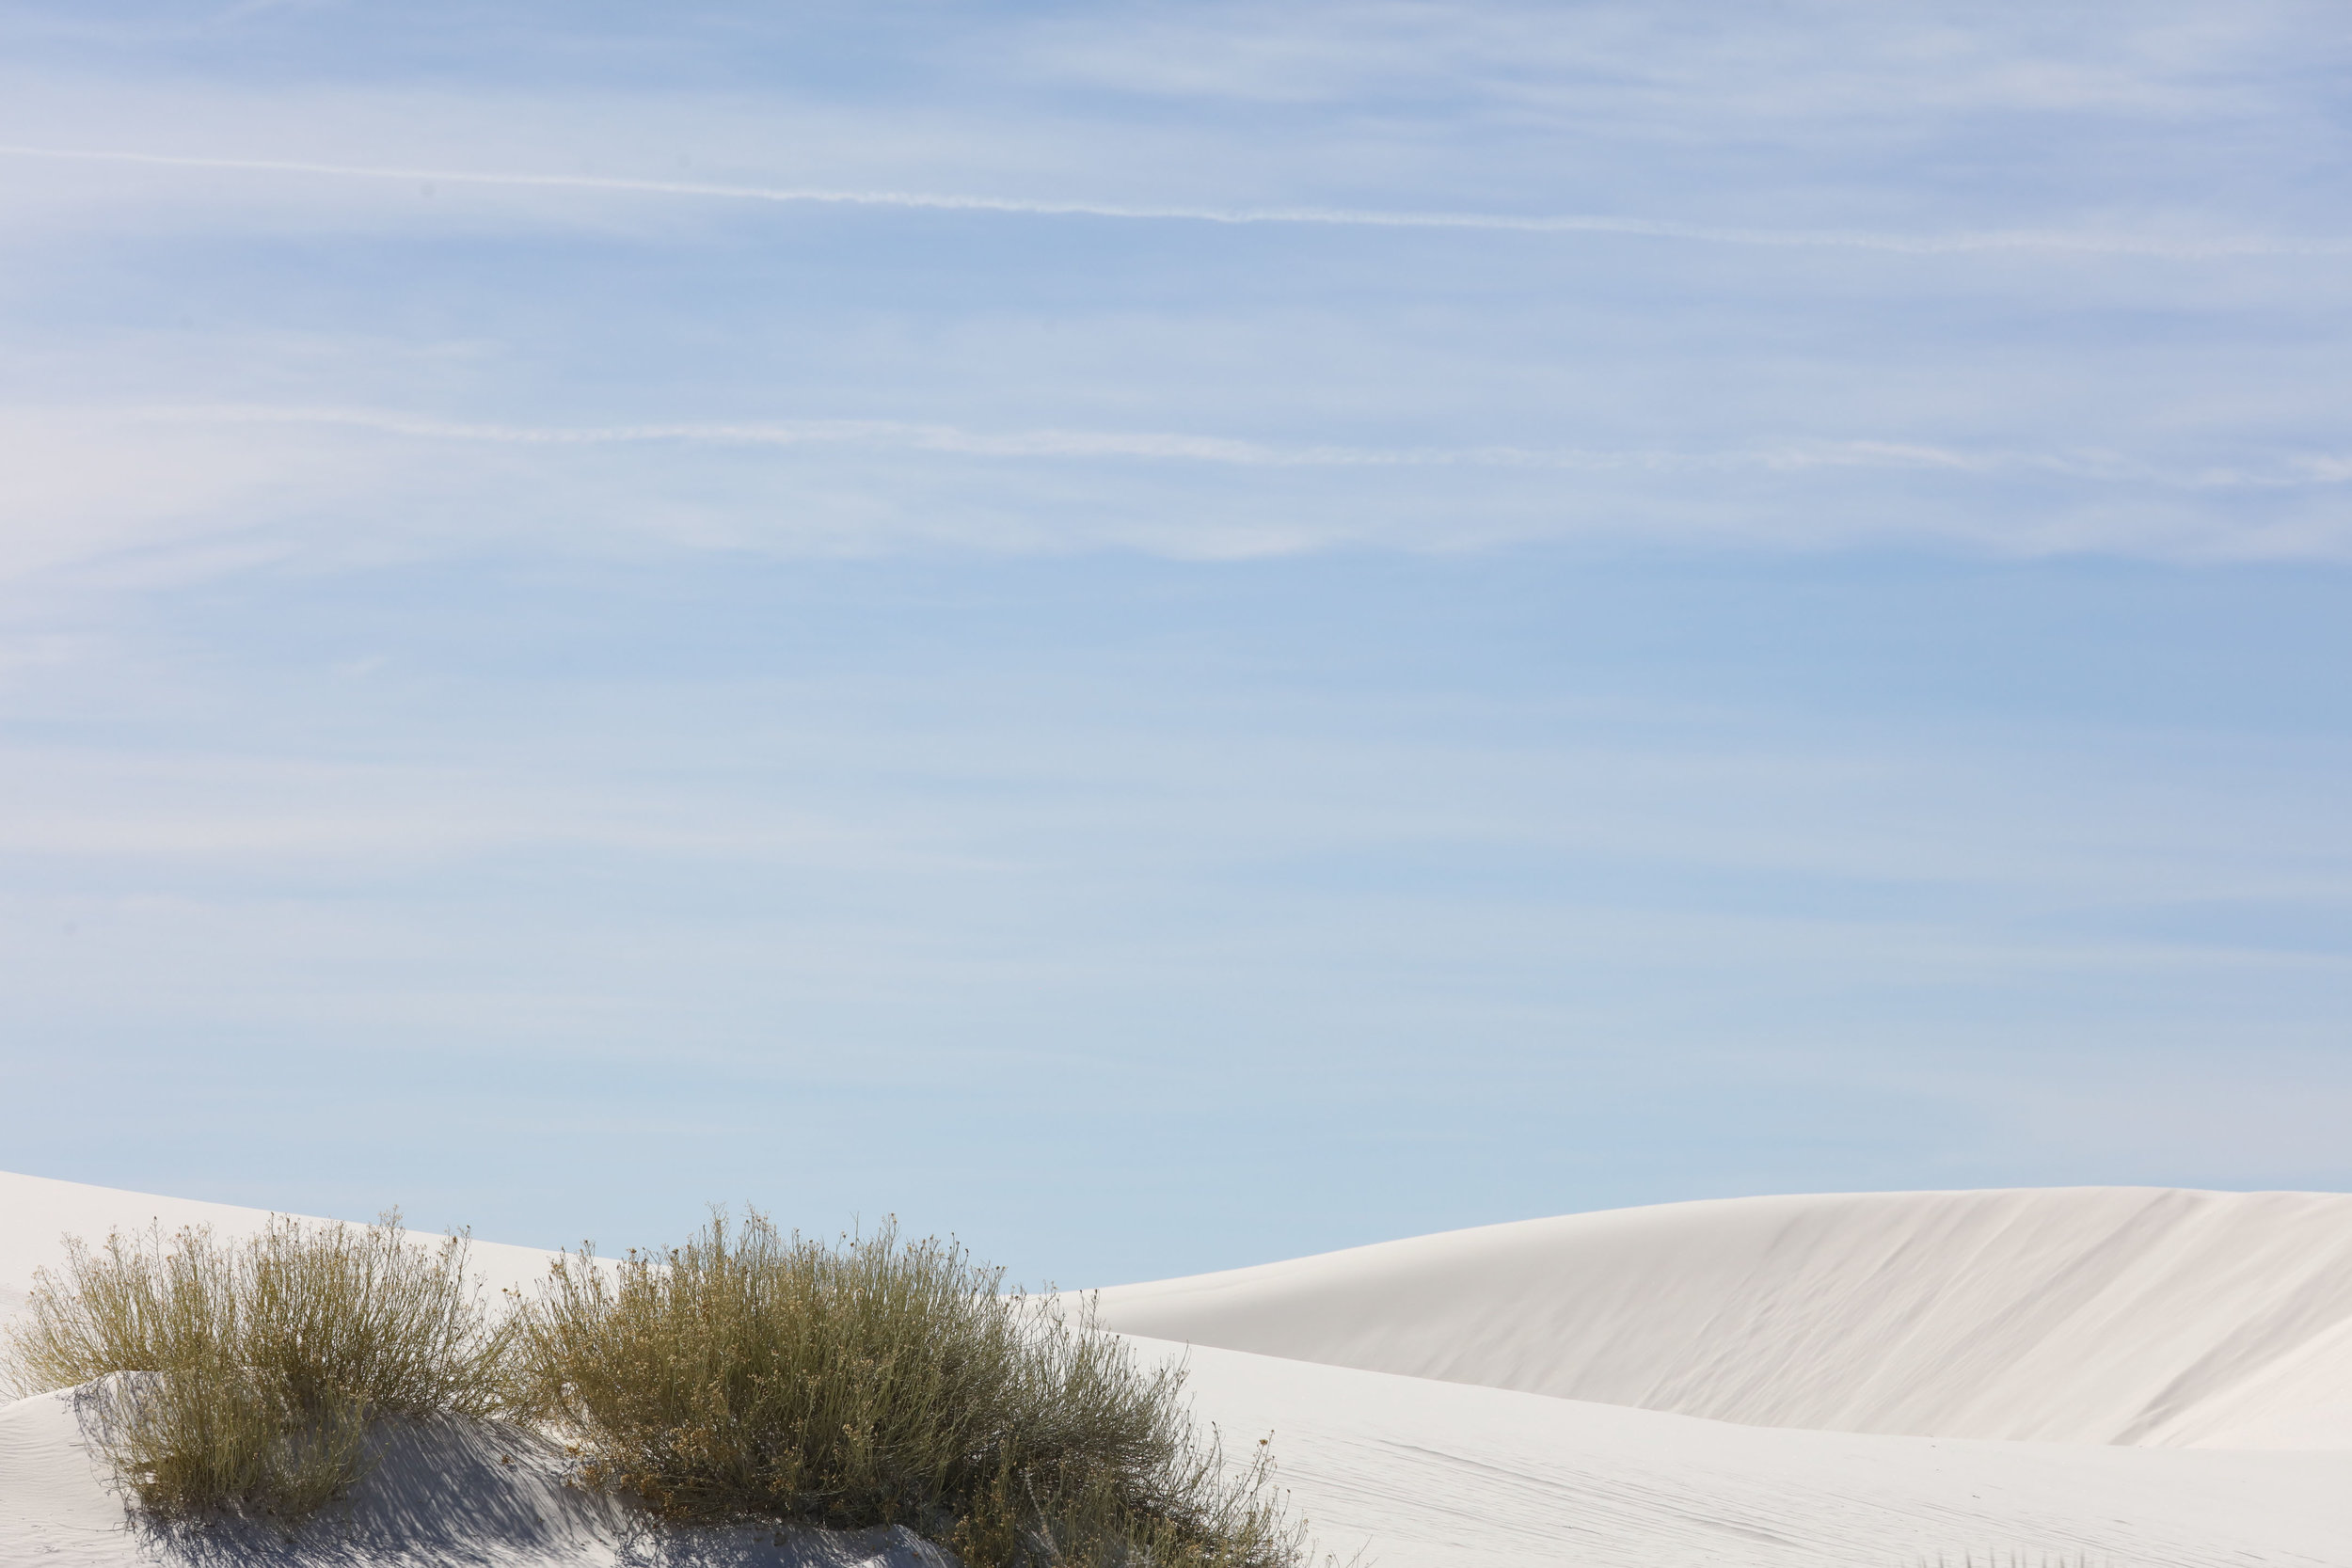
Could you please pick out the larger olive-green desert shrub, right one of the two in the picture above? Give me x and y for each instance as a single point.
(756, 1376)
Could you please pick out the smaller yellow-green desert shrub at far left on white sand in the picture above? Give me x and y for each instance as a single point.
(241, 1376)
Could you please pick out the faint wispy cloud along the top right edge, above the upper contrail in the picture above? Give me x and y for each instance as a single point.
(1782, 72)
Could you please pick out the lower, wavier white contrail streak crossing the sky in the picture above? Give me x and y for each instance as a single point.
(1149, 445)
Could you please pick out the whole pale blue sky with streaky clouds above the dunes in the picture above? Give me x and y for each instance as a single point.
(1170, 636)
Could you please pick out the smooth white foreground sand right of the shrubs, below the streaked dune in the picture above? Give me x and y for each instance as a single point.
(1445, 1475)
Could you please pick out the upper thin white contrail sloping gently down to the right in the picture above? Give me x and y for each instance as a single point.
(1332, 217)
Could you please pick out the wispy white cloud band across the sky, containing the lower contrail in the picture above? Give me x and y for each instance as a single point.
(182, 490)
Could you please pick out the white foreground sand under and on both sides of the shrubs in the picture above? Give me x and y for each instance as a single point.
(1417, 1473)
